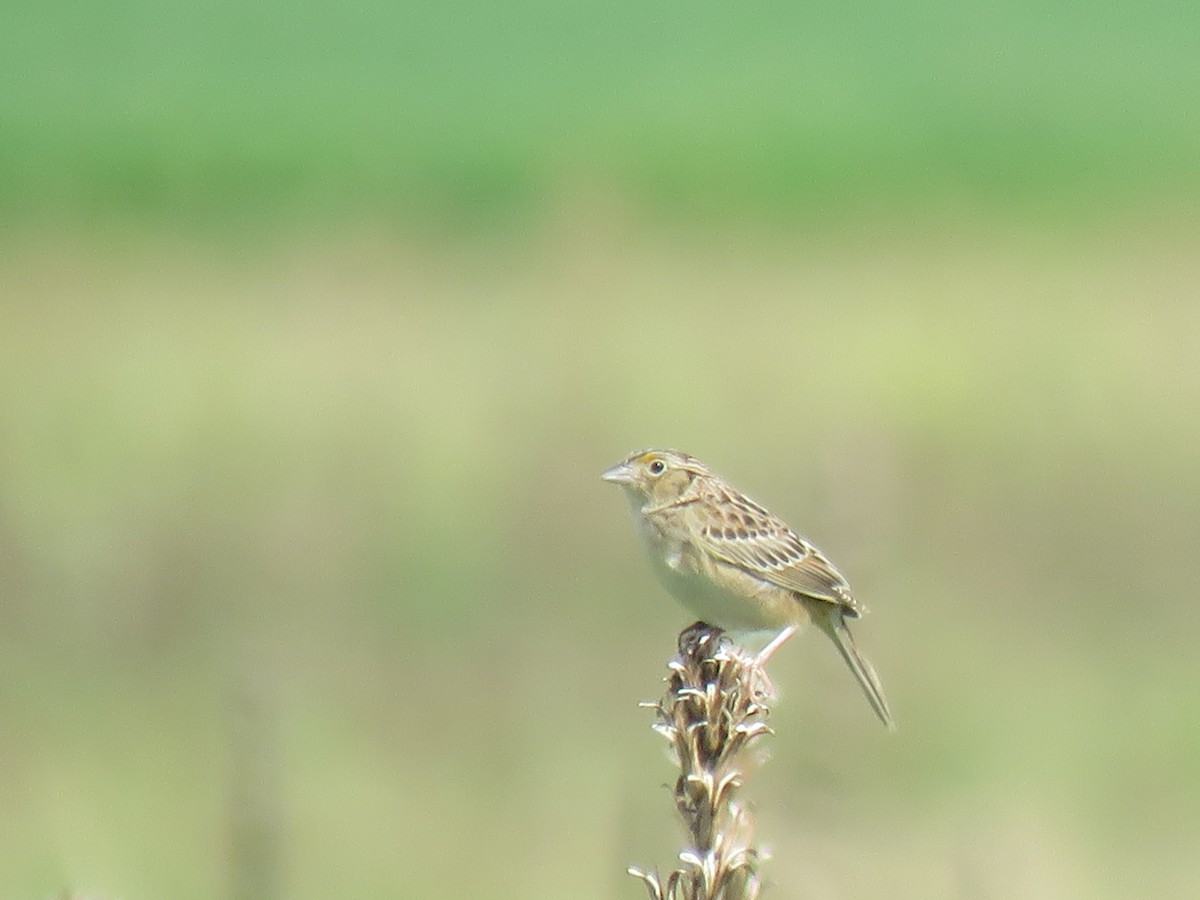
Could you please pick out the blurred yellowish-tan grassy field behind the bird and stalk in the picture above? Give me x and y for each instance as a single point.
(350, 493)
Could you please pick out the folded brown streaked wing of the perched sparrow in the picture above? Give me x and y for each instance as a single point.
(747, 536)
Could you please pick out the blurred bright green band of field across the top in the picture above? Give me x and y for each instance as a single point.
(461, 112)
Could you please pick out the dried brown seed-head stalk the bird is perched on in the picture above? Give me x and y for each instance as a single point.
(715, 709)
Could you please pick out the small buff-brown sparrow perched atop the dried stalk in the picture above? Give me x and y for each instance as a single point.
(735, 565)
